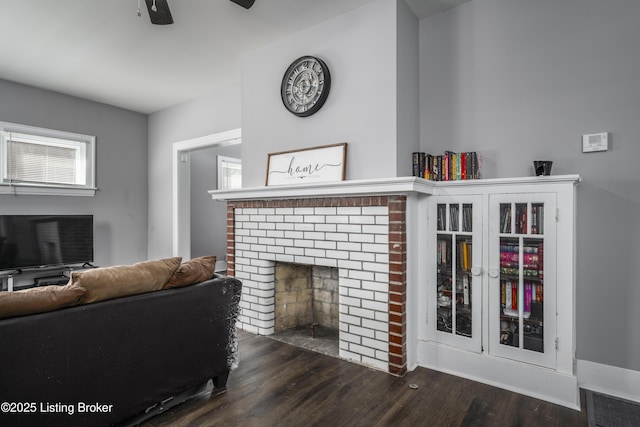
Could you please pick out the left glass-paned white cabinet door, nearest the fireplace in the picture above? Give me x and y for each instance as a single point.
(457, 294)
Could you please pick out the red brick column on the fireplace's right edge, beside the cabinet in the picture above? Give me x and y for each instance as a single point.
(397, 285)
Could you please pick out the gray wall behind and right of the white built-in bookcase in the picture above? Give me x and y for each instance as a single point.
(518, 80)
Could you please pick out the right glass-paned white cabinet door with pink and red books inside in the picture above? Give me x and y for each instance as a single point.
(521, 259)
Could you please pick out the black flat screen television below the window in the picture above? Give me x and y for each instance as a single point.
(34, 241)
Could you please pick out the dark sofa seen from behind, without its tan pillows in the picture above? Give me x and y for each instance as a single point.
(119, 361)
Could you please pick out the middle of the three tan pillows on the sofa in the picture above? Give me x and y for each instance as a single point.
(122, 280)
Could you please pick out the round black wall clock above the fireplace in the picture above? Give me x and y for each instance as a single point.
(305, 86)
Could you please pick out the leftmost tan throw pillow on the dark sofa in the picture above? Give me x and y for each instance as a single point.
(38, 300)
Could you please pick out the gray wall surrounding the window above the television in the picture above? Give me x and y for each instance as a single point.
(120, 205)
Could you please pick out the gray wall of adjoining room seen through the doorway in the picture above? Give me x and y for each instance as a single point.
(208, 218)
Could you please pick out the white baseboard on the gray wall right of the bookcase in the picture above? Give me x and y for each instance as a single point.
(610, 380)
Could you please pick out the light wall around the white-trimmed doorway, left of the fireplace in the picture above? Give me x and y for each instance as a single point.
(210, 114)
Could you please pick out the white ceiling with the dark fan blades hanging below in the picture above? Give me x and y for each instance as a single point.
(102, 51)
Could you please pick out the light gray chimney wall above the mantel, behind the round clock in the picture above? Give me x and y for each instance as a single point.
(360, 49)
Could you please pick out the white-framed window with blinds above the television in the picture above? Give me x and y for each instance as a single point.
(46, 158)
